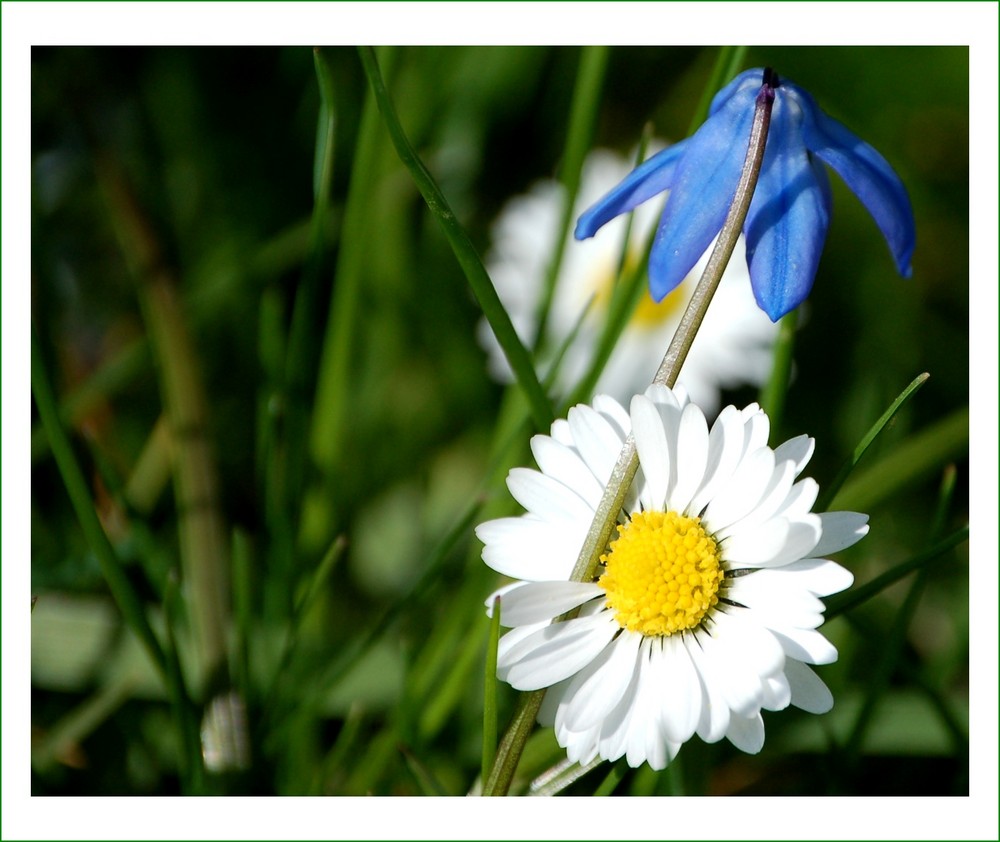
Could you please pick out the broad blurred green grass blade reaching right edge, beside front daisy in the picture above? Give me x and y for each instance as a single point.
(921, 454)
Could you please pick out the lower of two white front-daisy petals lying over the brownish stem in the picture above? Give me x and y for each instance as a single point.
(557, 651)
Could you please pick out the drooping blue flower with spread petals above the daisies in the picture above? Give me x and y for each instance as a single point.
(788, 217)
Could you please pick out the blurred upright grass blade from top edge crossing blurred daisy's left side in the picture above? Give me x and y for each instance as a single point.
(583, 117)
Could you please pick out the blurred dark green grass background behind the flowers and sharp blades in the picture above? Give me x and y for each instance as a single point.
(263, 351)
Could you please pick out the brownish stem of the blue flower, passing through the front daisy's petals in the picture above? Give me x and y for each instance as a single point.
(624, 471)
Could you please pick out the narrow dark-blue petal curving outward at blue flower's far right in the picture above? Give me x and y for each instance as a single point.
(868, 175)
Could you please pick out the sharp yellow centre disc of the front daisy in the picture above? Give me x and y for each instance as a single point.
(662, 573)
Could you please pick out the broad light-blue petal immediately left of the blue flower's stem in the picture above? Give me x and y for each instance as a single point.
(702, 189)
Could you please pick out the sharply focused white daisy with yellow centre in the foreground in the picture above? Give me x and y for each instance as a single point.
(705, 607)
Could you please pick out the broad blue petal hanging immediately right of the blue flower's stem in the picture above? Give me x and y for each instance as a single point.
(788, 218)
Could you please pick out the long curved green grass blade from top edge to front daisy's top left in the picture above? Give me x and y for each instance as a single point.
(517, 355)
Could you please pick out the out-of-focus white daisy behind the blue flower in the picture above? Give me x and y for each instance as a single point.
(733, 346)
